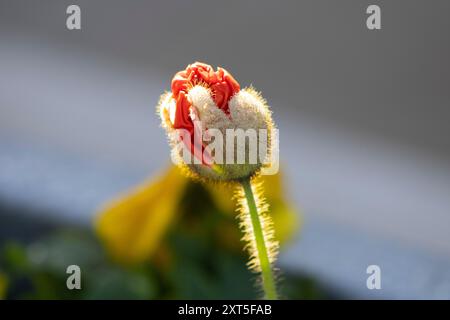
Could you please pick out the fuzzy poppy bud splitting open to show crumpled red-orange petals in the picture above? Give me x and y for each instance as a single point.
(217, 130)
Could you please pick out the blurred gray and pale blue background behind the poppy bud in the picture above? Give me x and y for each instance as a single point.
(363, 117)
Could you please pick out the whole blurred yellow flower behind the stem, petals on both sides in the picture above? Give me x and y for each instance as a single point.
(133, 226)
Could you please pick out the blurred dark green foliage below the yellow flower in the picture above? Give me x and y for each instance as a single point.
(38, 271)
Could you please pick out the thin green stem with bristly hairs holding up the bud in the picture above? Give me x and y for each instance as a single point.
(266, 271)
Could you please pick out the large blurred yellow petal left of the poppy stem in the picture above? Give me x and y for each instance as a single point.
(133, 226)
